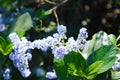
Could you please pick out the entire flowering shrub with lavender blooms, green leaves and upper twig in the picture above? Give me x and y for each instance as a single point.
(60, 57)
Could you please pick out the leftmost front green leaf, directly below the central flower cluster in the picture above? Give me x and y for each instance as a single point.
(60, 69)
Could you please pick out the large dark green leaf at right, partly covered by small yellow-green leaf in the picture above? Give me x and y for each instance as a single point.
(107, 54)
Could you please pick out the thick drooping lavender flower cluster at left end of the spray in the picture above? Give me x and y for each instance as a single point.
(20, 56)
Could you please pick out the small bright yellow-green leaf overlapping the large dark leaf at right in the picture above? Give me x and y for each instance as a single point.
(92, 70)
